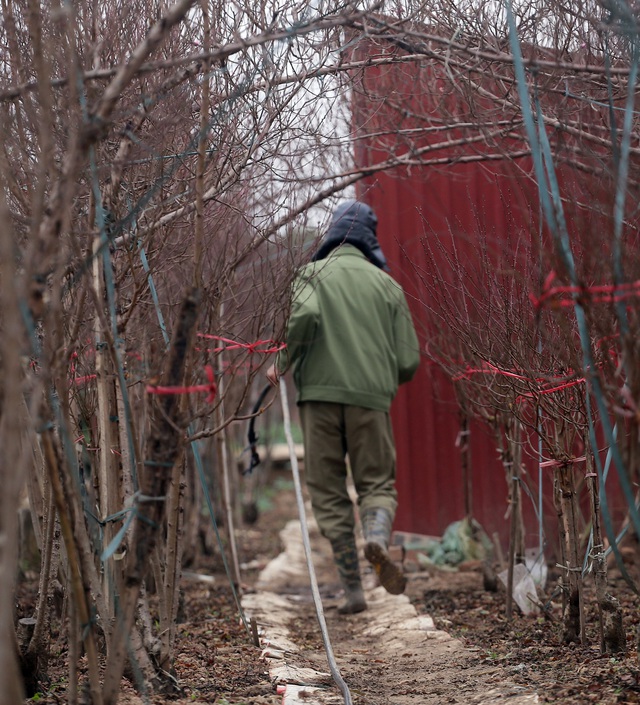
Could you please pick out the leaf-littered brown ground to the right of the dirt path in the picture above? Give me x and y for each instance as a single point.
(530, 648)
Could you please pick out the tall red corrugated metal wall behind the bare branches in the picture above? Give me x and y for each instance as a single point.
(450, 205)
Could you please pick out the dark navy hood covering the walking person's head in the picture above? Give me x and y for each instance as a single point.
(353, 223)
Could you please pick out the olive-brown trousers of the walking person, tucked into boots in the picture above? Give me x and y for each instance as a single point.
(331, 432)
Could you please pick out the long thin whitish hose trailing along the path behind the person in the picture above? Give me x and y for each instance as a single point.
(307, 547)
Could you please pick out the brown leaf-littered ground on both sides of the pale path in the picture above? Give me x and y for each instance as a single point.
(217, 662)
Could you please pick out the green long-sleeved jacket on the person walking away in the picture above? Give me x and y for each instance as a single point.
(350, 337)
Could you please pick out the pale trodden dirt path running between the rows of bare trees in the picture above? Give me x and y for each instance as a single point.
(388, 655)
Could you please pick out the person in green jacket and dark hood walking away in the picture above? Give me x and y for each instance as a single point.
(350, 343)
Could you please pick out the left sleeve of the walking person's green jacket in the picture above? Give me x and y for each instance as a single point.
(303, 322)
